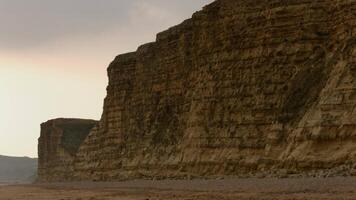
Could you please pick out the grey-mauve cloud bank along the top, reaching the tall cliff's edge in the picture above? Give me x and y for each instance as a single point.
(32, 23)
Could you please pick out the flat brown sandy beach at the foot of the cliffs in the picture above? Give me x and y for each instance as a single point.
(245, 189)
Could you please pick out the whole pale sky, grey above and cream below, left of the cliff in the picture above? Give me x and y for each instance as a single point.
(54, 55)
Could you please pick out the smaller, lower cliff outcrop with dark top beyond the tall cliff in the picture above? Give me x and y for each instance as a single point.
(59, 142)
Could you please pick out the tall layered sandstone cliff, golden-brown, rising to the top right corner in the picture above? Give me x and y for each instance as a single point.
(242, 88)
